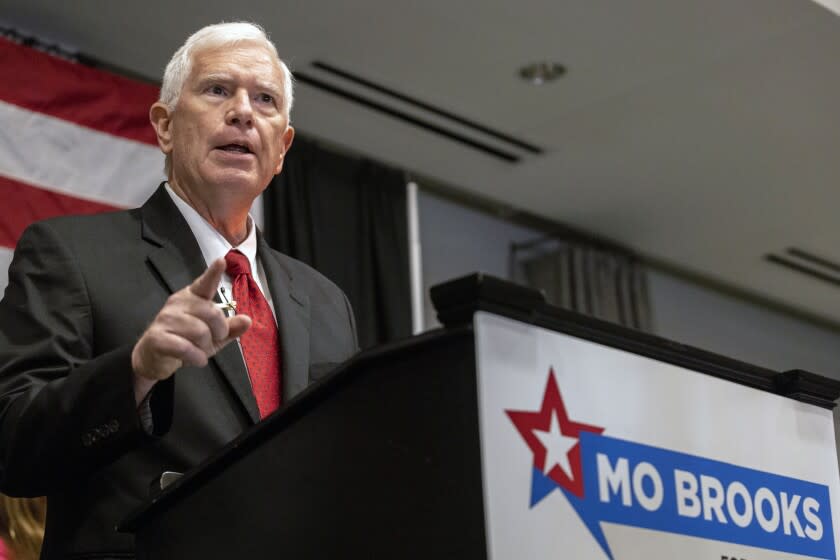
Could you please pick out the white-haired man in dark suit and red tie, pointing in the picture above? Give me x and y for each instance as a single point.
(116, 363)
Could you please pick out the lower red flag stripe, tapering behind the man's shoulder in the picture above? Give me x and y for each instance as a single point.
(24, 204)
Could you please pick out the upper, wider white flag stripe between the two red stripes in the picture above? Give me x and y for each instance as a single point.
(64, 157)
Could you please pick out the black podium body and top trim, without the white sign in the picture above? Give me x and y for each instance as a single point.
(382, 458)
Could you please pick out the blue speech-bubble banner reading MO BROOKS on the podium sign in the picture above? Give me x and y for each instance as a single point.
(653, 488)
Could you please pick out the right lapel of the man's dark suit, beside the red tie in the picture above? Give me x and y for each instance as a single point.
(291, 306)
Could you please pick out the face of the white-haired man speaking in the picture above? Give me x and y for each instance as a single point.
(228, 135)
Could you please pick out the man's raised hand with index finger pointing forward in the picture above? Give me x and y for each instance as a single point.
(186, 332)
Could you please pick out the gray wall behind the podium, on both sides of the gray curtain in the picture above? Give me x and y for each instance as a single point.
(458, 240)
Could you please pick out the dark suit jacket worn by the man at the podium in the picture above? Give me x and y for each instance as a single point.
(81, 291)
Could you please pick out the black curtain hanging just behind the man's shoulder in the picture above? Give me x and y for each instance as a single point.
(346, 217)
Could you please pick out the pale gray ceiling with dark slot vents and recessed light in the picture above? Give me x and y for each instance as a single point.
(701, 134)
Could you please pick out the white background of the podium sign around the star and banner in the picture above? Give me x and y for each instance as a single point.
(637, 399)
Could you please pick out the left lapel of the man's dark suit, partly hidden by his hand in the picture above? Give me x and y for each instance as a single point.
(177, 258)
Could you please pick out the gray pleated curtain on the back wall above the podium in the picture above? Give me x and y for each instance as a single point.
(600, 282)
